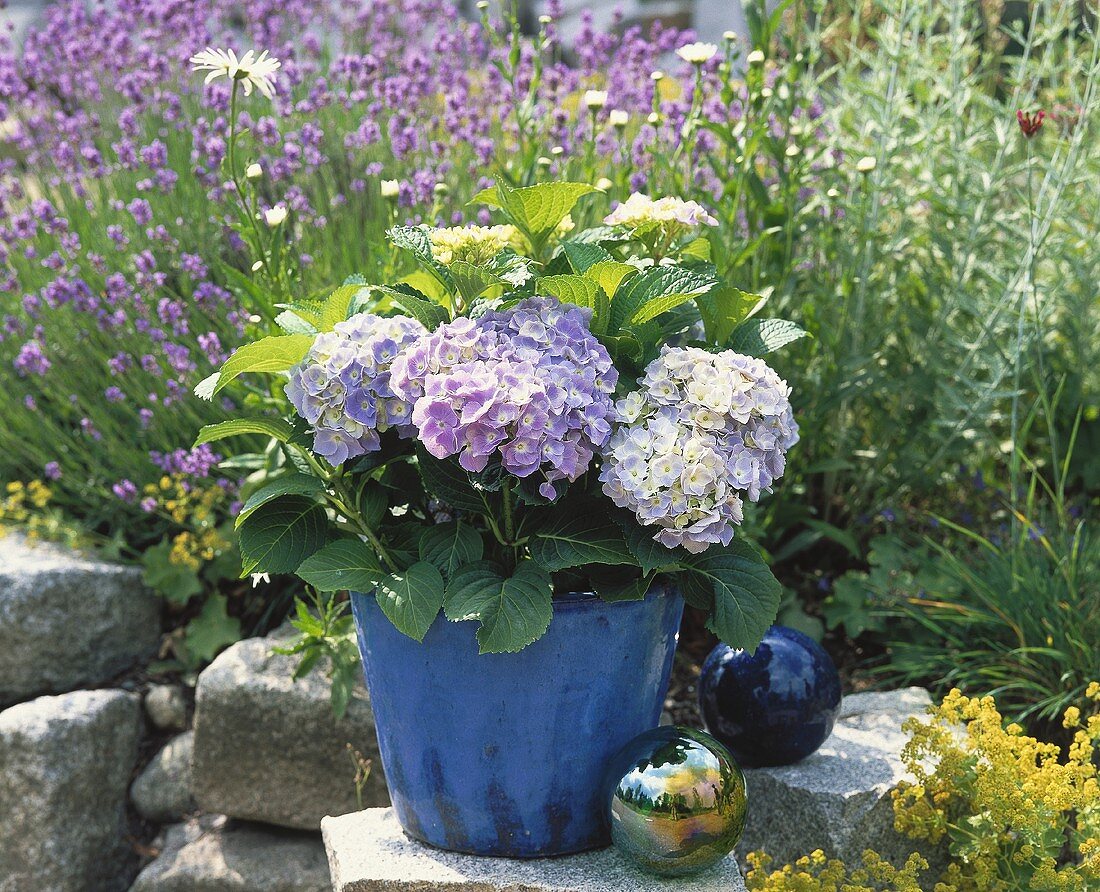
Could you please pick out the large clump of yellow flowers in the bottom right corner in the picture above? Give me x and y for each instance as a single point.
(1006, 802)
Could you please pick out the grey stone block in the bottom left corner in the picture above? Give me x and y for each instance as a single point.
(65, 764)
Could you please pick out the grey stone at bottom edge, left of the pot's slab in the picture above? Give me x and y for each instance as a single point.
(214, 855)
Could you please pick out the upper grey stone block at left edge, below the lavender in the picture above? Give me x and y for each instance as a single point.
(68, 621)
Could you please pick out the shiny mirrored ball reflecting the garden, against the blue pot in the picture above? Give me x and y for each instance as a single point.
(676, 801)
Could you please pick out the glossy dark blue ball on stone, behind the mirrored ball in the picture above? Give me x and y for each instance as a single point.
(775, 707)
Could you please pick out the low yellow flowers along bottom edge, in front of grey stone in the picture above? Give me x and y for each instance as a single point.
(816, 874)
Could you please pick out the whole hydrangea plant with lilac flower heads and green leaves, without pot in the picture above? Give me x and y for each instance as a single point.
(536, 411)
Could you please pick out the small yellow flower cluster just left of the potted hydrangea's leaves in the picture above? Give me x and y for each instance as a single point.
(196, 508)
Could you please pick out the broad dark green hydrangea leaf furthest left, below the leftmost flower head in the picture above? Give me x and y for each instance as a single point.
(282, 534)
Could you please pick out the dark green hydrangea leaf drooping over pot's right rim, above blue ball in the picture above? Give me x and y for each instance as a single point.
(746, 594)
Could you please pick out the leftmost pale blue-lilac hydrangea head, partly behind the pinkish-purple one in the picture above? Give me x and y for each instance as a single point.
(343, 386)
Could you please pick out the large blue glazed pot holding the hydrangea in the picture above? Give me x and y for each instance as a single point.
(504, 754)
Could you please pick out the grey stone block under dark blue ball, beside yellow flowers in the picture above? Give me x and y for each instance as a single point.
(839, 799)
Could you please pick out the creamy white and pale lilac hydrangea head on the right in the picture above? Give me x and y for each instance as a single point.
(703, 431)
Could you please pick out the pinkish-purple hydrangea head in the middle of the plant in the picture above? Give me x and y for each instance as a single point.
(530, 383)
